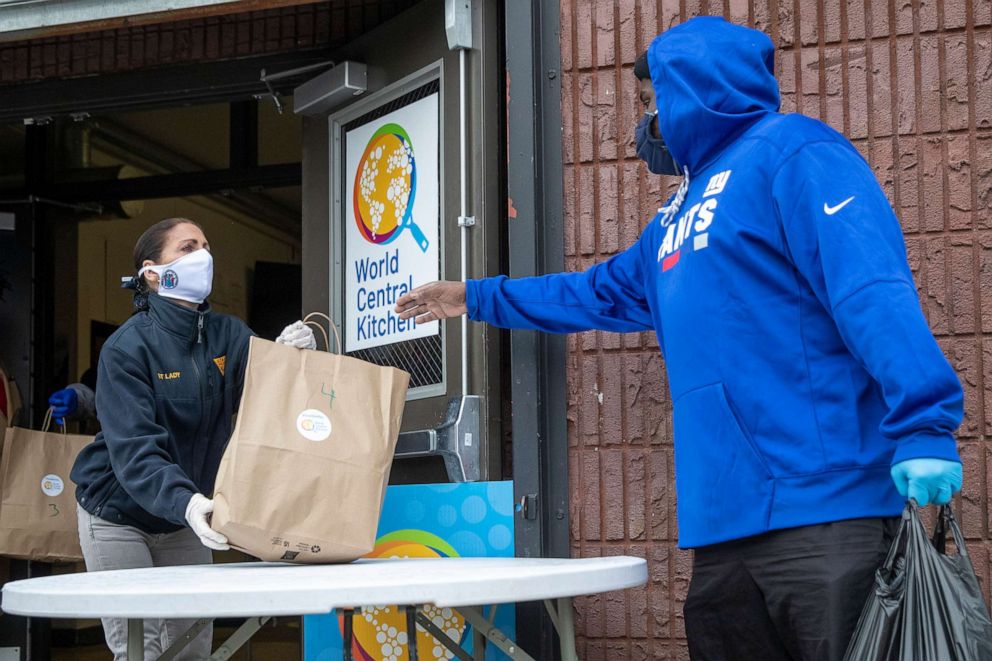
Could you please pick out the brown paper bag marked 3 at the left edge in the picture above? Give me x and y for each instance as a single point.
(37, 500)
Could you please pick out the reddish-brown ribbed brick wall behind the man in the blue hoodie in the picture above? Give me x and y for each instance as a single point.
(910, 83)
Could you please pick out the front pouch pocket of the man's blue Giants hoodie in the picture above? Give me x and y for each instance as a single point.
(725, 490)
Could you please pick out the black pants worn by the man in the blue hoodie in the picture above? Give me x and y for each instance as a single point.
(785, 595)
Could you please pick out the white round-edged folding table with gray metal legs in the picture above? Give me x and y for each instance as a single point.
(259, 591)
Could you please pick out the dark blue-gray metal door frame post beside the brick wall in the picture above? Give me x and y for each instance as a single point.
(536, 246)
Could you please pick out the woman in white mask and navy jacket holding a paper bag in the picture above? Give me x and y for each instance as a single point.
(170, 380)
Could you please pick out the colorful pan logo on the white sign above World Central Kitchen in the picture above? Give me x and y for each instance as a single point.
(385, 187)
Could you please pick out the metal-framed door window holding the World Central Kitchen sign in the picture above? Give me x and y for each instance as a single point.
(387, 237)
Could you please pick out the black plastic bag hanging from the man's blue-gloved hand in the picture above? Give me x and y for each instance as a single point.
(926, 605)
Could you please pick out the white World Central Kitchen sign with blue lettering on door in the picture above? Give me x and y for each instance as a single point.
(391, 221)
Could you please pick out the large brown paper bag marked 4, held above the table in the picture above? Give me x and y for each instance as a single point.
(305, 472)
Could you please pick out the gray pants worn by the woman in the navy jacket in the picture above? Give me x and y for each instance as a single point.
(112, 546)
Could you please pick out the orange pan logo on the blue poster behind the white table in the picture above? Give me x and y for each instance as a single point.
(380, 632)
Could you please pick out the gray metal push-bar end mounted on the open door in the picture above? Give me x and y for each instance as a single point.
(456, 440)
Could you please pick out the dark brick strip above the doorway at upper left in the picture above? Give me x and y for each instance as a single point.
(326, 24)
